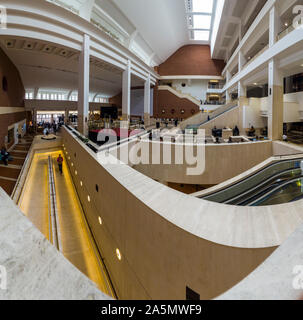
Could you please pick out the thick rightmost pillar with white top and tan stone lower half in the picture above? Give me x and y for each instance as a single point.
(275, 101)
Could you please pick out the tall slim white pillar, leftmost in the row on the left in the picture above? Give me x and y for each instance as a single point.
(83, 91)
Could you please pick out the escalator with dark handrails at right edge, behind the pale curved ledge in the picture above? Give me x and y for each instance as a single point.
(280, 182)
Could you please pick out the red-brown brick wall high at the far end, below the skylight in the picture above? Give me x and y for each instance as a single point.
(191, 60)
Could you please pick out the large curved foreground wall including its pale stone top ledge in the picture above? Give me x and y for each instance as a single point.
(146, 221)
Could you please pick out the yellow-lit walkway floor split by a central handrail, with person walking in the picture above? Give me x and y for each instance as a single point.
(77, 243)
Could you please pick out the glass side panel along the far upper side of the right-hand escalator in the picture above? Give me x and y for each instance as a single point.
(248, 185)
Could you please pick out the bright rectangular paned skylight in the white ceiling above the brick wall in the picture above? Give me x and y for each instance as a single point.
(200, 17)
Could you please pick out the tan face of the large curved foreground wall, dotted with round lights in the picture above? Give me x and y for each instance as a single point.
(159, 258)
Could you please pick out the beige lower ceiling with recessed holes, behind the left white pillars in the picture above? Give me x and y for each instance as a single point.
(48, 67)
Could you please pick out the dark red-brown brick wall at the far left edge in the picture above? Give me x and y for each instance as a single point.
(11, 97)
